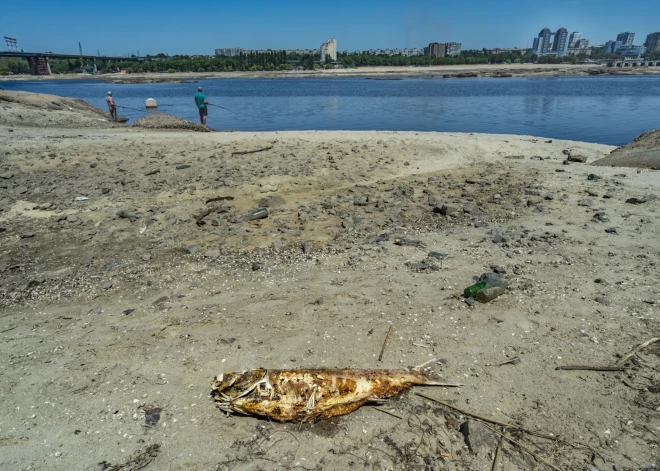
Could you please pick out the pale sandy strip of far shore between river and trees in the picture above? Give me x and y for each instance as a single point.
(459, 71)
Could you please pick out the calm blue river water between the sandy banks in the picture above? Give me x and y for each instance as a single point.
(604, 109)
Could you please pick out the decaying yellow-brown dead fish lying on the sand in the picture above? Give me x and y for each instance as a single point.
(311, 395)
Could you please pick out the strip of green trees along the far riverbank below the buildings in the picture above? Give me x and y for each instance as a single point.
(281, 60)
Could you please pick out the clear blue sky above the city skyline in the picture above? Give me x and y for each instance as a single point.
(176, 27)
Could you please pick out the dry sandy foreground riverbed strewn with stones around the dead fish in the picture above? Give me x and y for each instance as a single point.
(120, 305)
